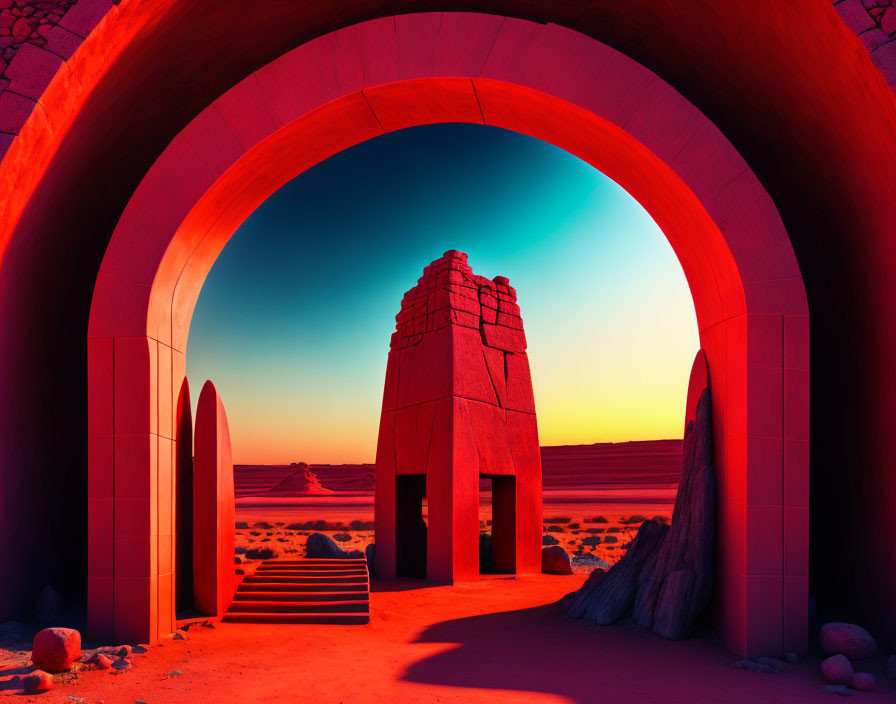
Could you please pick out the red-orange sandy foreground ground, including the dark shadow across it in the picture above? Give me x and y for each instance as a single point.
(498, 640)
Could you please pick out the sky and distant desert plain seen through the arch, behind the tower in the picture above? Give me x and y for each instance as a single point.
(293, 319)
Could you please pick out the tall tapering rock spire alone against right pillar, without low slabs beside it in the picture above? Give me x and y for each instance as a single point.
(675, 589)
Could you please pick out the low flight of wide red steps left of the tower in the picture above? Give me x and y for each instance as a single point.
(304, 591)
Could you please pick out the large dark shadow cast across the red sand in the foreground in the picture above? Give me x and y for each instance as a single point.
(540, 650)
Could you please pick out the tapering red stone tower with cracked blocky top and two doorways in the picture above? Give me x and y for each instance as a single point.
(457, 407)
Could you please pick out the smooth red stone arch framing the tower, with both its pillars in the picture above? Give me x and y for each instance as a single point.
(542, 80)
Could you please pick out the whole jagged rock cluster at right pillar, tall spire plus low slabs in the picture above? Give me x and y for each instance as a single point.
(665, 578)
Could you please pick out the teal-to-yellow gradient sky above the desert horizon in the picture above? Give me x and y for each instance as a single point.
(294, 320)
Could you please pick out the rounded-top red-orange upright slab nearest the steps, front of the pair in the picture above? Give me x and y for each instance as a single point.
(213, 507)
